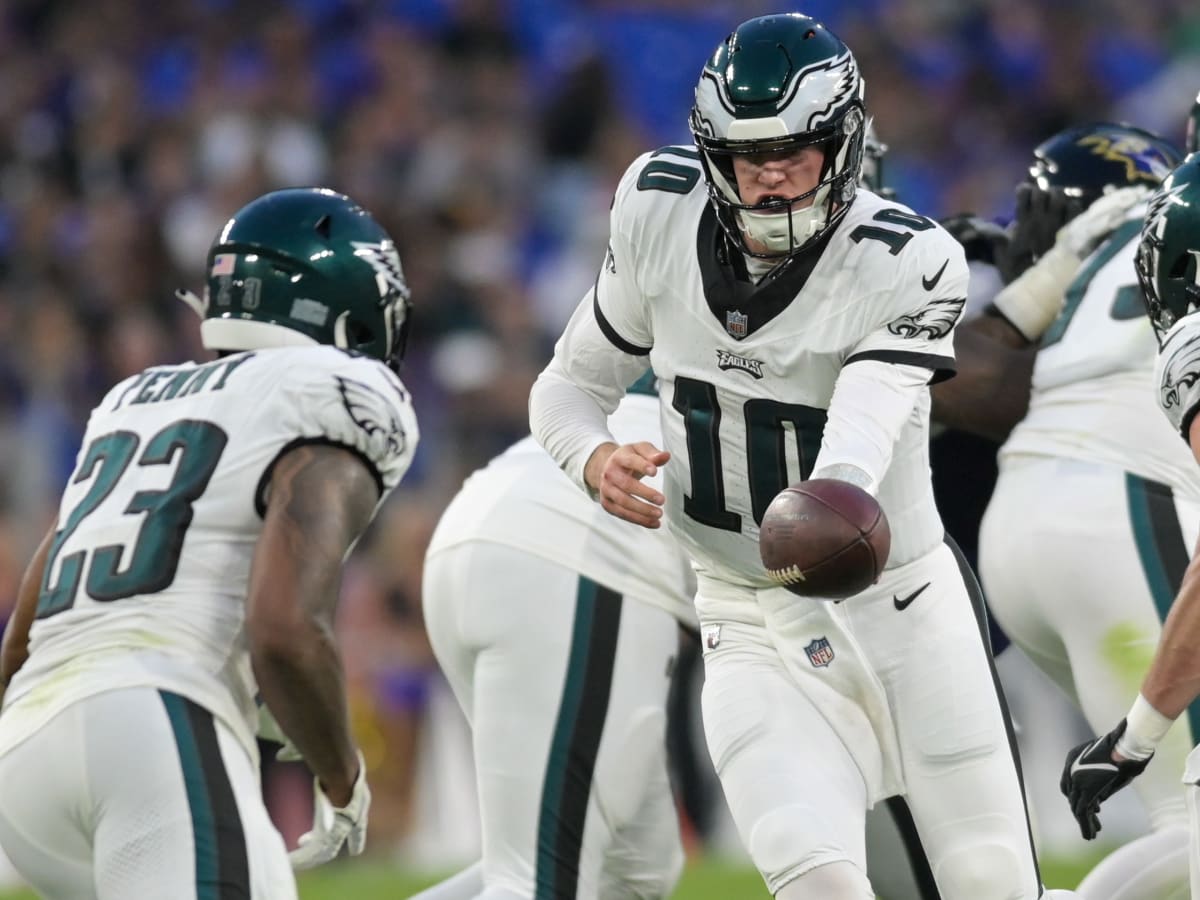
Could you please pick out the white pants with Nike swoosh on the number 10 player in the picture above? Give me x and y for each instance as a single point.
(777, 694)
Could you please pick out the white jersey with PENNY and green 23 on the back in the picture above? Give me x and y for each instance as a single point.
(146, 581)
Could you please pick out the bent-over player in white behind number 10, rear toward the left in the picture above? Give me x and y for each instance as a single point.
(557, 627)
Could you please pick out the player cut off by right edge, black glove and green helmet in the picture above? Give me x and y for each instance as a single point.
(1169, 274)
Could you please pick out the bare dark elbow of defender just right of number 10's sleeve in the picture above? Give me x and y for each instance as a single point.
(991, 393)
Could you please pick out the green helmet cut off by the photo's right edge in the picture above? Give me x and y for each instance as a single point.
(1169, 253)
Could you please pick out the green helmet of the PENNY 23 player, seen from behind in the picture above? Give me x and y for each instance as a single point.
(304, 267)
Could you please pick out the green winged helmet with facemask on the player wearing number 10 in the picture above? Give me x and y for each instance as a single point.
(777, 85)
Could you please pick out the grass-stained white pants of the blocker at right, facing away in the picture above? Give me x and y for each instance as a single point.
(1081, 563)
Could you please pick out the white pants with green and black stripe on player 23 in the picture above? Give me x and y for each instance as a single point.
(169, 800)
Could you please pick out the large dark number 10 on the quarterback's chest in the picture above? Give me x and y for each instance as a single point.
(766, 423)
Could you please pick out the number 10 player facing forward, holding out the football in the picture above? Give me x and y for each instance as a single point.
(795, 323)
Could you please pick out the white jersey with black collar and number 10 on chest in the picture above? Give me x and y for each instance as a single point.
(748, 373)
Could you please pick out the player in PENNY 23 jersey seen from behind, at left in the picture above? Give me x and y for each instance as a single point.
(195, 568)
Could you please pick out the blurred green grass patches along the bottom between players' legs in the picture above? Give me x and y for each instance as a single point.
(704, 880)
